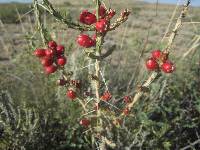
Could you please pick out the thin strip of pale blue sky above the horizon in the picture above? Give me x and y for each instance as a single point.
(194, 2)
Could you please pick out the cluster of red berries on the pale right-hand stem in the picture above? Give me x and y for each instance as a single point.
(159, 60)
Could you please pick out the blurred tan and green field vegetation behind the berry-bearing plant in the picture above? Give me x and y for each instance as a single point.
(35, 113)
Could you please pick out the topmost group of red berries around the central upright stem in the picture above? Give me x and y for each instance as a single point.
(101, 25)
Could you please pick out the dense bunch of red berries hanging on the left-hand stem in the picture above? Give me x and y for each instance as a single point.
(51, 58)
